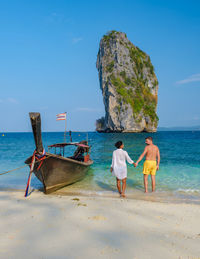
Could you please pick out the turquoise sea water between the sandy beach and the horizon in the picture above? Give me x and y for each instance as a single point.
(179, 174)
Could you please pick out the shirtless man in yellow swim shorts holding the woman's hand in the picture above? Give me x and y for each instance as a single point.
(151, 164)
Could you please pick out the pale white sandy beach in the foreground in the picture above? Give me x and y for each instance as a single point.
(43, 226)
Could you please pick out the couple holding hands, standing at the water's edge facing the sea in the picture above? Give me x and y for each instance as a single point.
(151, 164)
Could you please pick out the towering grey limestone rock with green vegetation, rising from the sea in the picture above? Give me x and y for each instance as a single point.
(129, 86)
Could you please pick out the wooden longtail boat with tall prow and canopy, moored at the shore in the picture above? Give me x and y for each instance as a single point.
(55, 170)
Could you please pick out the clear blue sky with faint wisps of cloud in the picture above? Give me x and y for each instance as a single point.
(48, 52)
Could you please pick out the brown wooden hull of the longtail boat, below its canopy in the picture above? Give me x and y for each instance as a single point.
(57, 171)
